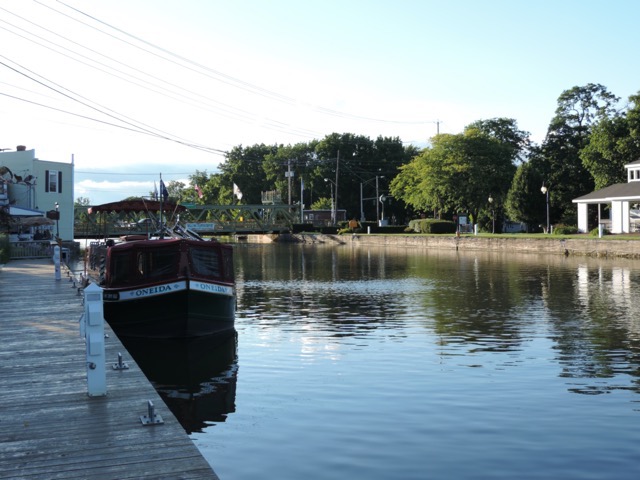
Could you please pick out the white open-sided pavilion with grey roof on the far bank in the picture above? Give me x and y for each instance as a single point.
(621, 196)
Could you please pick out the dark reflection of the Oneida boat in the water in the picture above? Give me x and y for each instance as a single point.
(195, 377)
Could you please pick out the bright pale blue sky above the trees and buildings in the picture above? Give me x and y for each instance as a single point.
(219, 74)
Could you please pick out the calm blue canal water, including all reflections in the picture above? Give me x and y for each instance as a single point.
(372, 363)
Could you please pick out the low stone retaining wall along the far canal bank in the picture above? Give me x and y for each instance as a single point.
(591, 247)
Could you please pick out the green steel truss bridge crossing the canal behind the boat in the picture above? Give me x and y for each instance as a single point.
(203, 219)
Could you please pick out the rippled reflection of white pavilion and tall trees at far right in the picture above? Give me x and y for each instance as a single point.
(598, 346)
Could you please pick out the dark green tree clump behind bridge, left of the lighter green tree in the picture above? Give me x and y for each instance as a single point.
(347, 159)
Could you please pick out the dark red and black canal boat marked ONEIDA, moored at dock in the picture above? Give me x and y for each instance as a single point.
(166, 287)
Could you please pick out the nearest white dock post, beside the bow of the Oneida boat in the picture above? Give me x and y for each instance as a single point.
(92, 325)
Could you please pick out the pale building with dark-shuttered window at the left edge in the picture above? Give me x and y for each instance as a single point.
(36, 184)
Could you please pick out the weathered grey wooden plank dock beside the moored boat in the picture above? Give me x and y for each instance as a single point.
(49, 427)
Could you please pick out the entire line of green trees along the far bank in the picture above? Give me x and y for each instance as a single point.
(589, 140)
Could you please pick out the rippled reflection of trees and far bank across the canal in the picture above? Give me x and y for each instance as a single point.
(471, 304)
